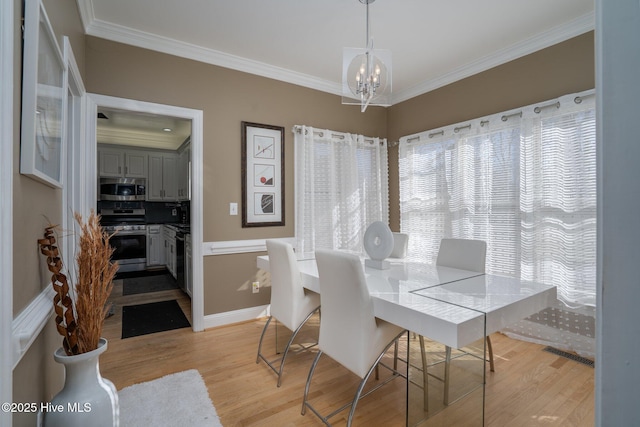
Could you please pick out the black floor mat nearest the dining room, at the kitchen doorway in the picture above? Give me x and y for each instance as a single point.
(151, 318)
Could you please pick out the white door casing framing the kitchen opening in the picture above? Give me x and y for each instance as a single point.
(152, 111)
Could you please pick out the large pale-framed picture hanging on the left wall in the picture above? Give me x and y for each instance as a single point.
(44, 88)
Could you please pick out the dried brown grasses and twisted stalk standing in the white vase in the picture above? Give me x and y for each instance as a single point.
(95, 273)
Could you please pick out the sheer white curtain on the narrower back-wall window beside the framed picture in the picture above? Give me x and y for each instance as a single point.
(341, 187)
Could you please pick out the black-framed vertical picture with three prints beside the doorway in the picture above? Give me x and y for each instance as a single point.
(262, 175)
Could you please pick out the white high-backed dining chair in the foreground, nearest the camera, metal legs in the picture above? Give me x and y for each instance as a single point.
(349, 332)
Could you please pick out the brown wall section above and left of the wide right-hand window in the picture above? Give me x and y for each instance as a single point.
(561, 69)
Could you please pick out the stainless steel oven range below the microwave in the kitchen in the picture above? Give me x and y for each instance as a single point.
(126, 221)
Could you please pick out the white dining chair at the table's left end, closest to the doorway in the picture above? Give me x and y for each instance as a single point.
(291, 304)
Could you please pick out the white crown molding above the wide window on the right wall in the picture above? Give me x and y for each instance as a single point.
(540, 41)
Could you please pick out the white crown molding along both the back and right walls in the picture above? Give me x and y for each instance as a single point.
(126, 35)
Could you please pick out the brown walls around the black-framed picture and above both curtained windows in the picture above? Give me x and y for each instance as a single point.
(228, 97)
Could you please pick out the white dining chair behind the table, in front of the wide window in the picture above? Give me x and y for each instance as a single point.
(464, 254)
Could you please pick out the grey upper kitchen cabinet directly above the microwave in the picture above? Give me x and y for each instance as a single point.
(121, 163)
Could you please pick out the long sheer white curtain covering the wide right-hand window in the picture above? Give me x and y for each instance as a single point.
(524, 181)
